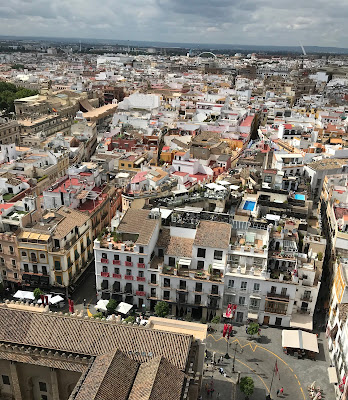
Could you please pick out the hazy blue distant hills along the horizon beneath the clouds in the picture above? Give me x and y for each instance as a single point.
(194, 46)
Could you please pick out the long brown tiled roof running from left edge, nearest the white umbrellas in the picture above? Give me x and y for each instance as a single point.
(91, 337)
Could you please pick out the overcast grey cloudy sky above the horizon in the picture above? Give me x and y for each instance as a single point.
(258, 22)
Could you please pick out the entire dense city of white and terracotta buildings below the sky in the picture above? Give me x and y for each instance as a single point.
(173, 222)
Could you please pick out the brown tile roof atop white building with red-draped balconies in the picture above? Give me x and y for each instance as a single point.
(138, 222)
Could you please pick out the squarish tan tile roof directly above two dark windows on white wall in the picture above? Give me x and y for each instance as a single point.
(213, 234)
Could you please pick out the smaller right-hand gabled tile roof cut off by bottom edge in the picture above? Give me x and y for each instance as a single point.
(157, 380)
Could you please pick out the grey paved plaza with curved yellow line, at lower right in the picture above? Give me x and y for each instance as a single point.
(257, 359)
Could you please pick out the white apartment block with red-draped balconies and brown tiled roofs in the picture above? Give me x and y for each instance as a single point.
(180, 265)
